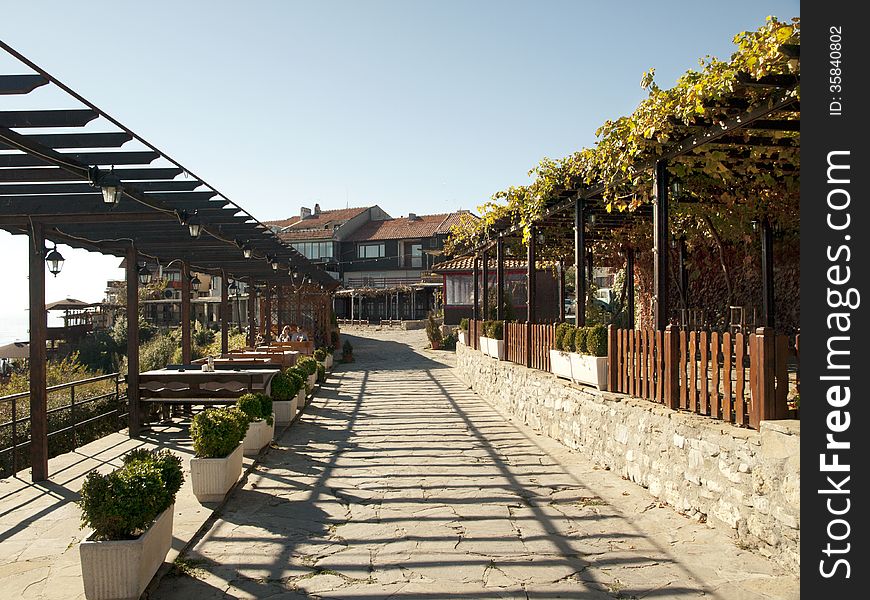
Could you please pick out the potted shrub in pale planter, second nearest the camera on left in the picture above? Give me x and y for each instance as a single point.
(217, 434)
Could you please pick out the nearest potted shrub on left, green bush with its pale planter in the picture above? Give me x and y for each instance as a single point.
(130, 511)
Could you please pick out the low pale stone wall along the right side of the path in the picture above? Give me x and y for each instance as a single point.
(748, 481)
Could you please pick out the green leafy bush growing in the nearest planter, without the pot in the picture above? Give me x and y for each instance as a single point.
(124, 503)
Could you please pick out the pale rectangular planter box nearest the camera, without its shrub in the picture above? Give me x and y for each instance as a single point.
(123, 569)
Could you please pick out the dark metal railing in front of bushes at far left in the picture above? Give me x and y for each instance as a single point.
(73, 421)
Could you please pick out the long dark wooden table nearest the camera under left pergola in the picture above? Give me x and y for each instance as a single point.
(189, 384)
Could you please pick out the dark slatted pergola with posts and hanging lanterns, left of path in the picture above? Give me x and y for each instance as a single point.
(52, 163)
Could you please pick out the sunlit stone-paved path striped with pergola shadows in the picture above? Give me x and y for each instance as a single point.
(401, 483)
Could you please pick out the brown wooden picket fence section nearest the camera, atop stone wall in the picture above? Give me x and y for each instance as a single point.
(740, 379)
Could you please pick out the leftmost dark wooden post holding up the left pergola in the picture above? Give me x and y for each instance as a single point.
(38, 332)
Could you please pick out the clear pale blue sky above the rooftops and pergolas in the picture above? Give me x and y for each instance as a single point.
(415, 106)
